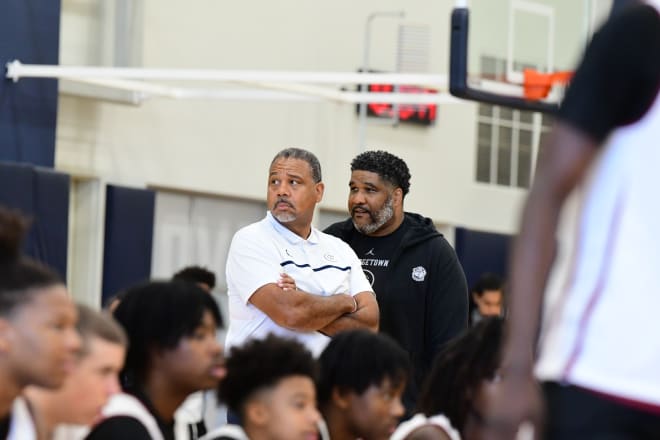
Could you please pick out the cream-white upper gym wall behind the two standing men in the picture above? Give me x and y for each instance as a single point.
(224, 148)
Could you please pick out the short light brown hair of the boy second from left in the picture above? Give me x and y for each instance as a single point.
(93, 324)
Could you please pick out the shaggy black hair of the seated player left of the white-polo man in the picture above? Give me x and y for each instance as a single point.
(156, 316)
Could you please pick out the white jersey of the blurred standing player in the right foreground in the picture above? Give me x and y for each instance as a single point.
(600, 325)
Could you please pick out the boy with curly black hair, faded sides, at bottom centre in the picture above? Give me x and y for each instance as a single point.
(270, 384)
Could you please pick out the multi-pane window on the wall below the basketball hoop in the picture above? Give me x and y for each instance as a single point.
(507, 140)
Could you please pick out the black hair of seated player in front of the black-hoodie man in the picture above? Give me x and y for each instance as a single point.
(354, 360)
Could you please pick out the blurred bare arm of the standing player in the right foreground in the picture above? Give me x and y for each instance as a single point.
(562, 165)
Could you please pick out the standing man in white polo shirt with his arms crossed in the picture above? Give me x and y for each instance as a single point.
(288, 278)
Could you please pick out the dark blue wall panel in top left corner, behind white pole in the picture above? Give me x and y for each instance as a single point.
(29, 32)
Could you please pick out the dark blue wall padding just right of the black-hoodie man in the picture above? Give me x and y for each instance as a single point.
(481, 252)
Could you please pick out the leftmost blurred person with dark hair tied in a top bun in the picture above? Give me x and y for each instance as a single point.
(38, 339)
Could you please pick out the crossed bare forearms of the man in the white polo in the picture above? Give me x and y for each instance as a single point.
(303, 311)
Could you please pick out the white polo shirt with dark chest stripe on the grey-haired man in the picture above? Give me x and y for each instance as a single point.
(321, 264)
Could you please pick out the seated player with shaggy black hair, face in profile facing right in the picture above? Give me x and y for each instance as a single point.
(173, 352)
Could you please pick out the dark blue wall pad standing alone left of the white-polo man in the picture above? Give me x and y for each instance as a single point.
(129, 226)
